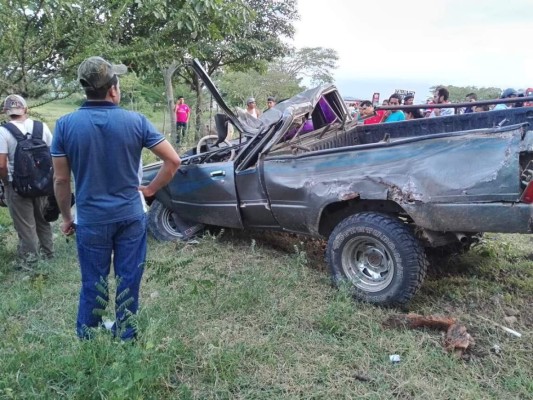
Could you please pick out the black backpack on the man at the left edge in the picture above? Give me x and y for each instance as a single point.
(33, 174)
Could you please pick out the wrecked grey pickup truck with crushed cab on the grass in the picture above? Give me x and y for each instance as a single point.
(380, 194)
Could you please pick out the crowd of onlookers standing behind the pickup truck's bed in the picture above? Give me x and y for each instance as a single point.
(365, 112)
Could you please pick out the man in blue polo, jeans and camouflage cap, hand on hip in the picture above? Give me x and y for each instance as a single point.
(101, 144)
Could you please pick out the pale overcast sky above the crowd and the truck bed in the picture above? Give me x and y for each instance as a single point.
(385, 44)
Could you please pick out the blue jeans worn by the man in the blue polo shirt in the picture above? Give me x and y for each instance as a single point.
(126, 240)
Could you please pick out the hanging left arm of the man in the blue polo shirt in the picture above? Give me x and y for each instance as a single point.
(63, 193)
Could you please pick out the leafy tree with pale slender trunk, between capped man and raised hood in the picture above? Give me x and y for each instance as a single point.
(156, 36)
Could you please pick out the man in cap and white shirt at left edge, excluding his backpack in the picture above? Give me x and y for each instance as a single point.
(34, 232)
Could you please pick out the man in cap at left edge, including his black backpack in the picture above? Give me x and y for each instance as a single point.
(26, 190)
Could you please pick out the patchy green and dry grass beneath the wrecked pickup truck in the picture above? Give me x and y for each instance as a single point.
(251, 315)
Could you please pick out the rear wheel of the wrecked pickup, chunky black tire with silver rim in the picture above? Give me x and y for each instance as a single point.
(379, 256)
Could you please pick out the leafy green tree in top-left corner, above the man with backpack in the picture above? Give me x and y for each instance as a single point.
(41, 40)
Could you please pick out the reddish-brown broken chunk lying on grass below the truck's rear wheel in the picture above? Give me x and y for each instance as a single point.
(457, 339)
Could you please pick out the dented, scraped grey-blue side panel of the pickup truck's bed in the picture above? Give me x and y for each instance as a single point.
(425, 177)
